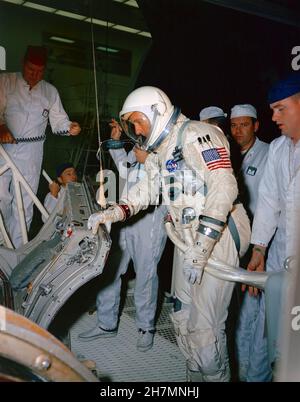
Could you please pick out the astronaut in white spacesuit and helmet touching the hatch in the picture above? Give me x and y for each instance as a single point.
(190, 160)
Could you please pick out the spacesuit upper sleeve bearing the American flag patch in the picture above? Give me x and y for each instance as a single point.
(221, 184)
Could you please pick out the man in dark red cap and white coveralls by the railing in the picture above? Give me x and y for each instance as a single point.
(27, 102)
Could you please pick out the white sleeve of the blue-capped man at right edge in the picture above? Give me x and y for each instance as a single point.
(267, 210)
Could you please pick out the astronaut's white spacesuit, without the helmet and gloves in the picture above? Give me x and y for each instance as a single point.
(200, 323)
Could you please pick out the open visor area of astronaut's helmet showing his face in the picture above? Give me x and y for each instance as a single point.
(136, 126)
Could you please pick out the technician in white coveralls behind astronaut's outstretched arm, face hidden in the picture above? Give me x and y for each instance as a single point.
(141, 240)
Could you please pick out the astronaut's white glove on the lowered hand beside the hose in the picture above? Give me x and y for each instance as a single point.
(196, 258)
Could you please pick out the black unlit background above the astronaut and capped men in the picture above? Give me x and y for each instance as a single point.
(204, 54)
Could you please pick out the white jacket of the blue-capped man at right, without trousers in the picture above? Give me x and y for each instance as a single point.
(278, 203)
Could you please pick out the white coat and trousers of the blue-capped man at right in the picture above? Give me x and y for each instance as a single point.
(276, 214)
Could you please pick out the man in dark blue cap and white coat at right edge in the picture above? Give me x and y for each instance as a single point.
(278, 207)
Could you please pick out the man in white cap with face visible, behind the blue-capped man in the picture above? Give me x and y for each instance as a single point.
(244, 125)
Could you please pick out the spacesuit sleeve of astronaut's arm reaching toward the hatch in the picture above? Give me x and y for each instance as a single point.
(146, 191)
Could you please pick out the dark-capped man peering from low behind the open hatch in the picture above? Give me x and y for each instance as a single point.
(65, 173)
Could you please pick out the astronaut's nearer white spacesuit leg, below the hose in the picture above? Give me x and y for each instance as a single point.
(206, 327)
